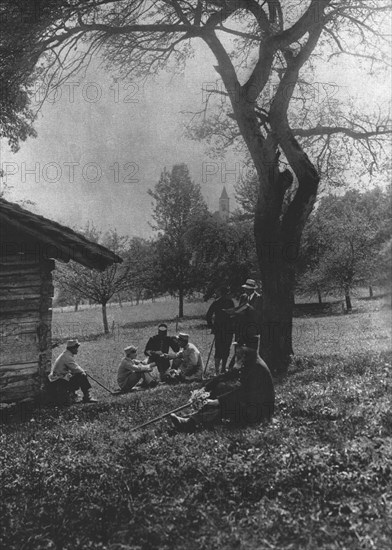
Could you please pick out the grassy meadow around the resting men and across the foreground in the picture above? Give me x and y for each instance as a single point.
(318, 476)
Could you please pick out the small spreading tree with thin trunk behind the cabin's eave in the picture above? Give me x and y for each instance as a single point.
(97, 286)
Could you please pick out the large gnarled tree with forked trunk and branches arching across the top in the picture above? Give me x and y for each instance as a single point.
(267, 53)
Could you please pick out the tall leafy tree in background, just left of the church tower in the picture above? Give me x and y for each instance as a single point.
(178, 204)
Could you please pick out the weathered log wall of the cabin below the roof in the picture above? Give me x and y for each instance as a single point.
(26, 291)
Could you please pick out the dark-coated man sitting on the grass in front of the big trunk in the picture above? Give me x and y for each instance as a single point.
(248, 402)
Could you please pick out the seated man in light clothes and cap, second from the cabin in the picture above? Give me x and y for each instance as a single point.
(131, 371)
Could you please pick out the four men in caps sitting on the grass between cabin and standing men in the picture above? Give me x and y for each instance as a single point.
(161, 349)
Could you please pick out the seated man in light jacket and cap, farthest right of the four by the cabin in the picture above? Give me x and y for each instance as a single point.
(187, 363)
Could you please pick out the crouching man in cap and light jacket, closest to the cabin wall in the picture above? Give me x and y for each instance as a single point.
(65, 368)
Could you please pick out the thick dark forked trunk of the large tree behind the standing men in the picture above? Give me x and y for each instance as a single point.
(277, 242)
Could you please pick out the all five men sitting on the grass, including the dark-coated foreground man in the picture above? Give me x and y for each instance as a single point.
(244, 395)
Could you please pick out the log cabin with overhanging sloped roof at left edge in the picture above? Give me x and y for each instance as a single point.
(29, 246)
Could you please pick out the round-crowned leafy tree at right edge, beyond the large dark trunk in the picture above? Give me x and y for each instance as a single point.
(345, 242)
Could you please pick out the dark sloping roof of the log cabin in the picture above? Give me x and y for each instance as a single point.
(60, 242)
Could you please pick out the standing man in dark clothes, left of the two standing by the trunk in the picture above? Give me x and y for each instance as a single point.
(221, 326)
